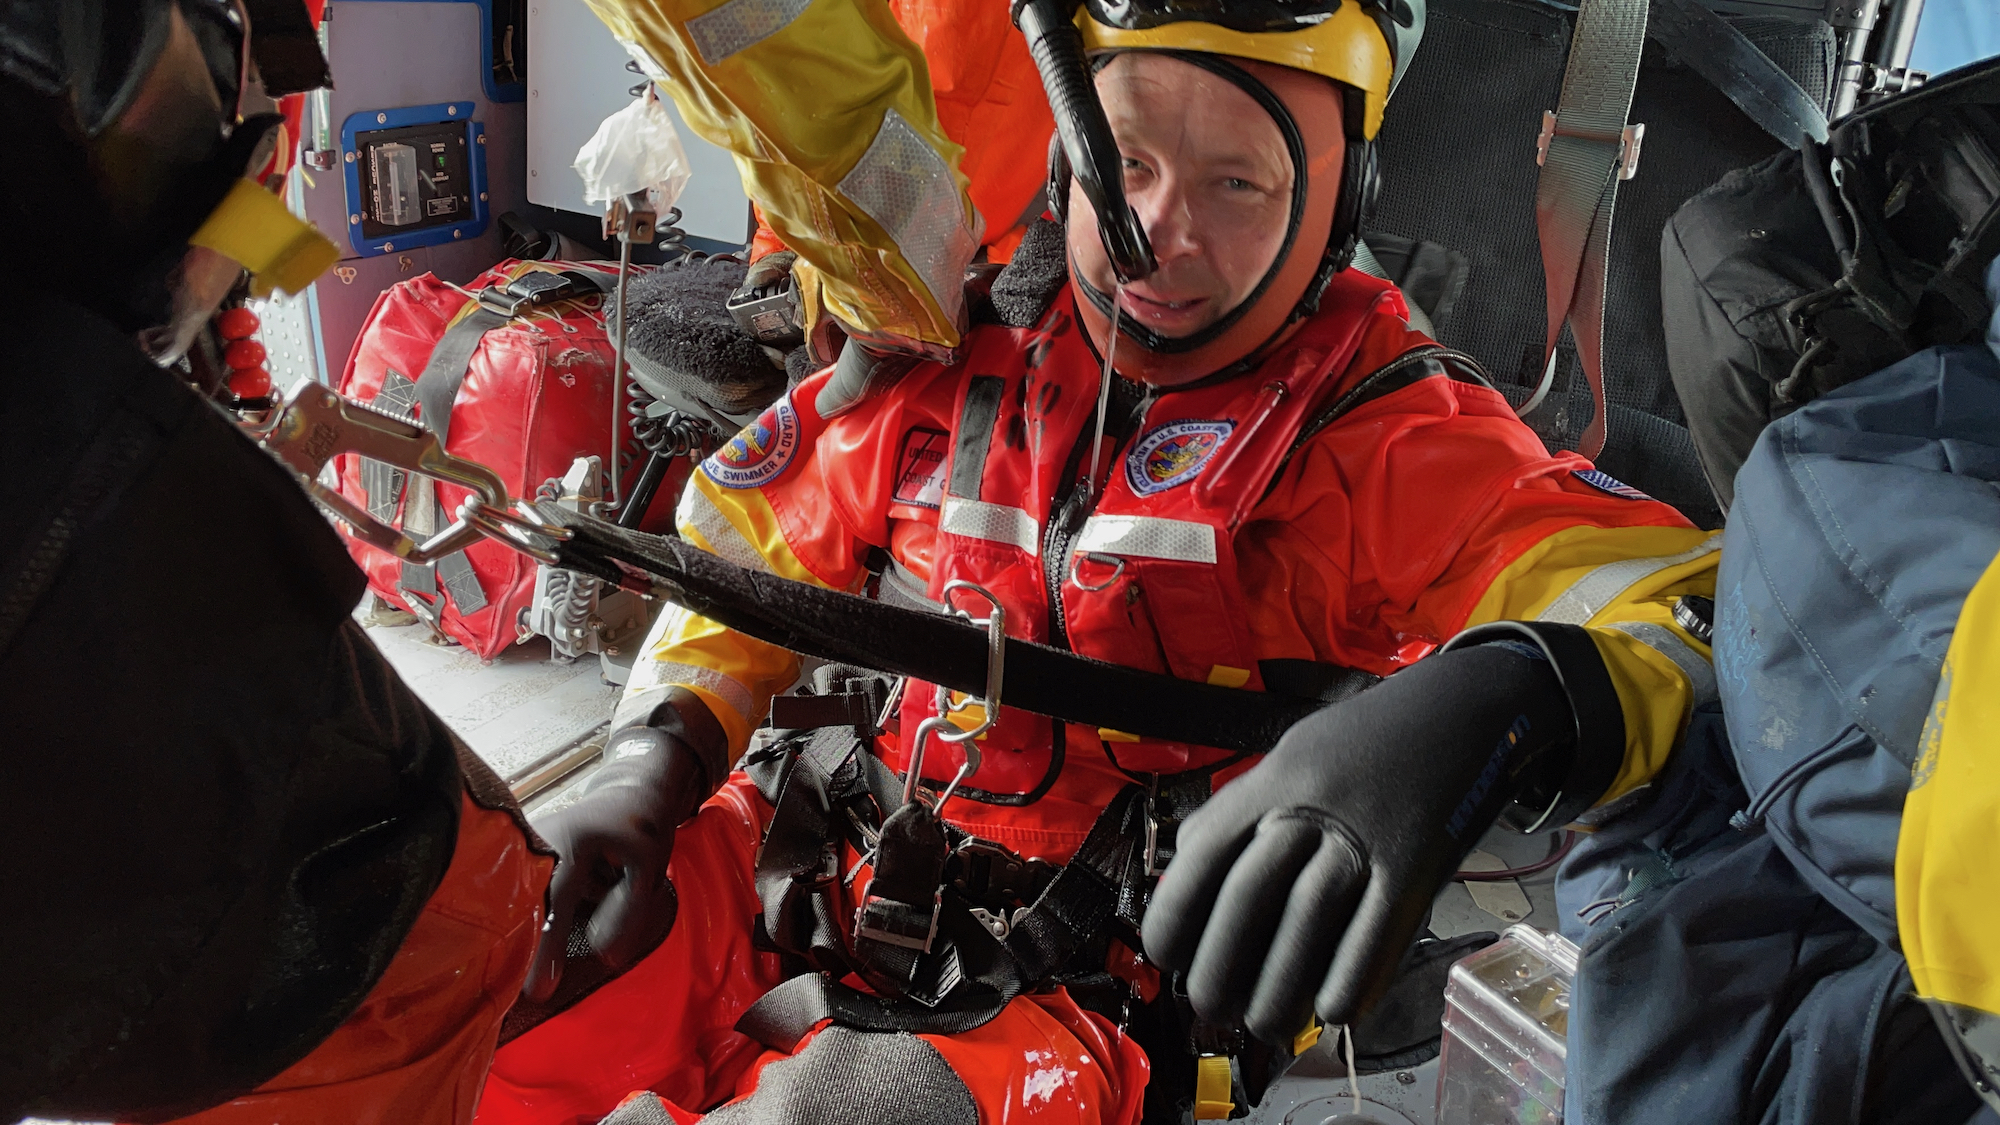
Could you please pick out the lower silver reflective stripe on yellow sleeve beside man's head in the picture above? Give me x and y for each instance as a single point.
(911, 191)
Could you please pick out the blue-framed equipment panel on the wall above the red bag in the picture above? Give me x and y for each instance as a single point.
(417, 177)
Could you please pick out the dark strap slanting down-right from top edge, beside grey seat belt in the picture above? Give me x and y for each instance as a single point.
(1731, 63)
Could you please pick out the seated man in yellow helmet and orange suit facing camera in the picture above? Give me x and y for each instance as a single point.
(1293, 489)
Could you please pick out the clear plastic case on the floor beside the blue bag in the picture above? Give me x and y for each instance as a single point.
(1507, 1022)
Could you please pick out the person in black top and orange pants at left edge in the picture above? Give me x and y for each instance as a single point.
(251, 878)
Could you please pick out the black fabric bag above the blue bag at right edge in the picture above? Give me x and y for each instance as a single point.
(1815, 269)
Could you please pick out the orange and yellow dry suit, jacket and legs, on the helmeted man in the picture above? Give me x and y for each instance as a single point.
(1349, 503)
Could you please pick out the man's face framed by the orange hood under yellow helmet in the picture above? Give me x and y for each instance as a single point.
(1209, 175)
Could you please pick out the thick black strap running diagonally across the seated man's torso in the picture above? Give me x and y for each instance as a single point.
(927, 646)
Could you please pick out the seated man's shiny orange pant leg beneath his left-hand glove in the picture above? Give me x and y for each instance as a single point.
(669, 1022)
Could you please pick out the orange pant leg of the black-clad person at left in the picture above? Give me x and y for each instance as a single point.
(419, 1046)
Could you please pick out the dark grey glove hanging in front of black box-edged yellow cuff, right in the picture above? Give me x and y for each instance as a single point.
(1301, 886)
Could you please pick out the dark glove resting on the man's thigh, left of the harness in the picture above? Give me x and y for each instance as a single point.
(615, 842)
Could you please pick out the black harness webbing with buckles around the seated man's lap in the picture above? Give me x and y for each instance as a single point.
(1003, 924)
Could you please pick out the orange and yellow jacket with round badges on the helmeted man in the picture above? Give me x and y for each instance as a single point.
(1351, 503)
